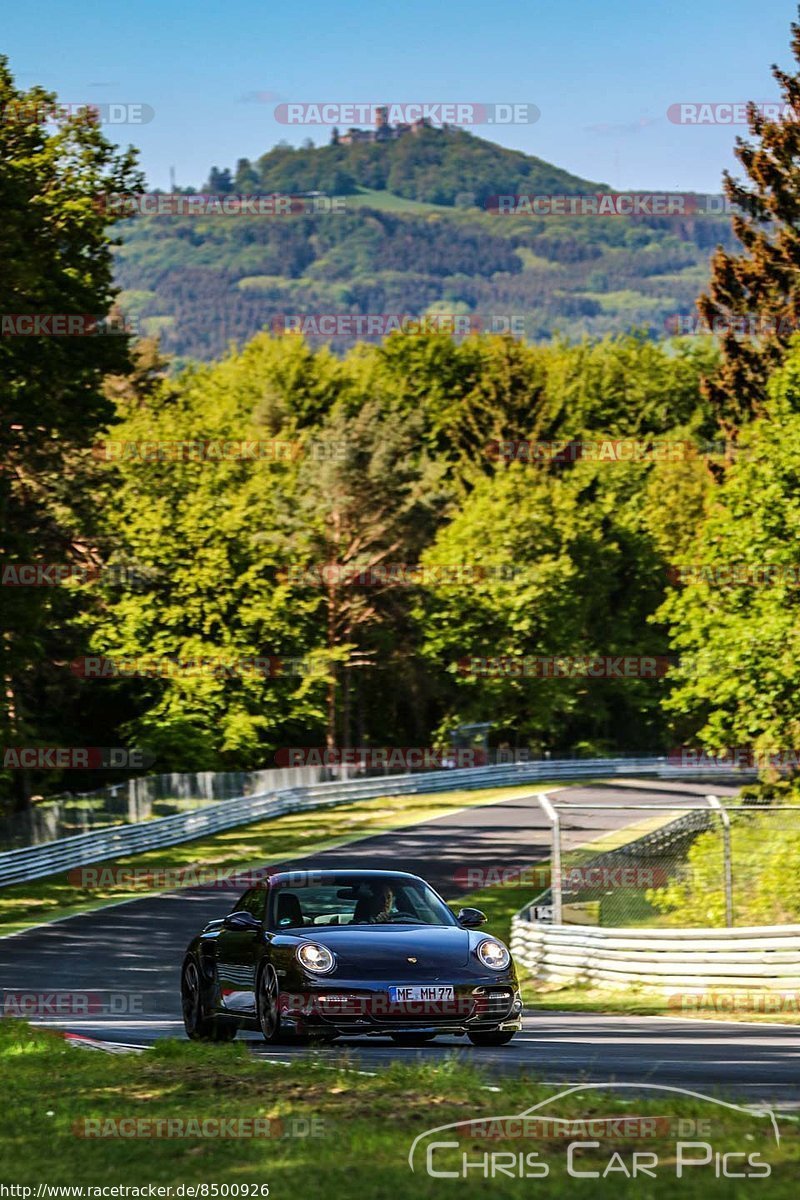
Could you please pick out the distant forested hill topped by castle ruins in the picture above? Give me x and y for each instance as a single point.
(414, 237)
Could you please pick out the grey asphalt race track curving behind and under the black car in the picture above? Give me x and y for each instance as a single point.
(129, 958)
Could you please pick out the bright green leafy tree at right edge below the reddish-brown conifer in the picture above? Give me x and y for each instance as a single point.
(736, 621)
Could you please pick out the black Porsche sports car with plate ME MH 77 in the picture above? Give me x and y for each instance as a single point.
(329, 953)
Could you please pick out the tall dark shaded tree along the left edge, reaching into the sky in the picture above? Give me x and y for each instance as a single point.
(56, 181)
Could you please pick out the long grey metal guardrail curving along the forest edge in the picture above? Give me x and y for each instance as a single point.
(37, 862)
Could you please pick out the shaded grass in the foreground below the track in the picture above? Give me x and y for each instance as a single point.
(363, 1126)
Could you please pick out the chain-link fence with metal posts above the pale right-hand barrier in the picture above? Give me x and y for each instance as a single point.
(667, 865)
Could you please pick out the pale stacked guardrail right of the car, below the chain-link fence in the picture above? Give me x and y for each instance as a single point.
(762, 958)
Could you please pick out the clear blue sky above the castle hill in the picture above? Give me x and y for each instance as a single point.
(603, 76)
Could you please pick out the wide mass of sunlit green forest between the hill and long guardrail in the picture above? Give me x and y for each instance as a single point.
(389, 467)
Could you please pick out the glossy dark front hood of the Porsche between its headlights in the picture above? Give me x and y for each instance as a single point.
(374, 949)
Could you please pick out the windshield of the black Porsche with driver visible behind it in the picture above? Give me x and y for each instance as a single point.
(358, 901)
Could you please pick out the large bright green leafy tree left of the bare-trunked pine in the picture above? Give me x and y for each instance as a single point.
(208, 536)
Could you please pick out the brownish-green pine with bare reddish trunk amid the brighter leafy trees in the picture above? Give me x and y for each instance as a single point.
(366, 511)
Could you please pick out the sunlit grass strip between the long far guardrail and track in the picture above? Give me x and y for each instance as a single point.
(243, 849)
